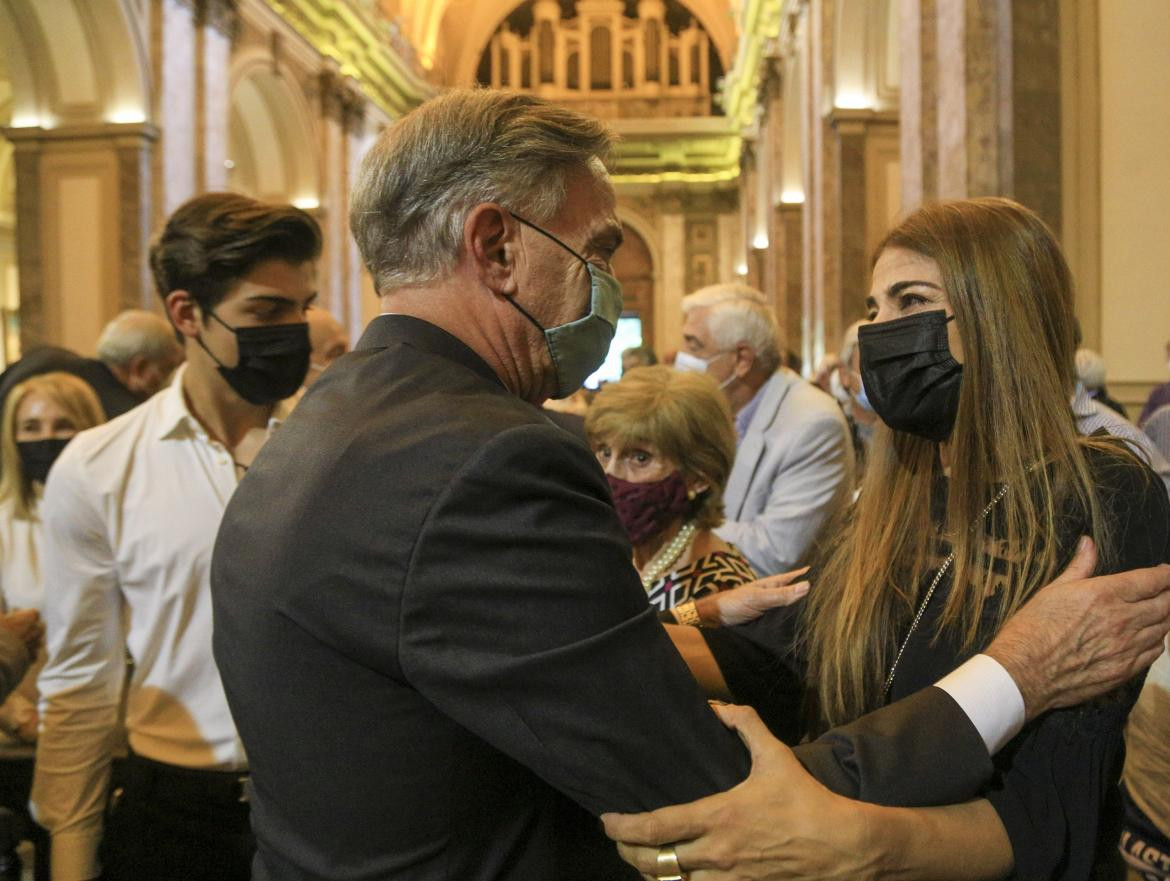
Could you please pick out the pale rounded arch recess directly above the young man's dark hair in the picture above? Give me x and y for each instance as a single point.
(272, 135)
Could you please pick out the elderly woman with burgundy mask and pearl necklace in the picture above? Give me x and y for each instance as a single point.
(666, 444)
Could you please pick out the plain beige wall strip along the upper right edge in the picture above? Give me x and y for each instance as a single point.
(1135, 191)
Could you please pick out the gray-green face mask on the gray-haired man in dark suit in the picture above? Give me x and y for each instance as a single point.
(577, 349)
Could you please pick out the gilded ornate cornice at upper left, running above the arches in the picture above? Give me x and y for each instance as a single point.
(366, 47)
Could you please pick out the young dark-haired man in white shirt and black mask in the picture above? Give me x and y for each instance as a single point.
(132, 511)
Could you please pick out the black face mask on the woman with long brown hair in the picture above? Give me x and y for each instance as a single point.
(911, 378)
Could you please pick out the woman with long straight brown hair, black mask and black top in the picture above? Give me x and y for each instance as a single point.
(978, 492)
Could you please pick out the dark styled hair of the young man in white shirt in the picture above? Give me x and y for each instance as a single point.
(216, 239)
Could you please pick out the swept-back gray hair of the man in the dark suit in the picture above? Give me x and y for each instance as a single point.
(459, 150)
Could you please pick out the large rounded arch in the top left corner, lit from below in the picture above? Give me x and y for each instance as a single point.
(74, 63)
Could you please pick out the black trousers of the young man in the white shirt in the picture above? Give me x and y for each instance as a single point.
(176, 824)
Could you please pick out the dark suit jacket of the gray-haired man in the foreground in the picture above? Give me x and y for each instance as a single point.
(436, 649)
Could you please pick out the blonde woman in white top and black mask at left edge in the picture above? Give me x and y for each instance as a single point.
(40, 417)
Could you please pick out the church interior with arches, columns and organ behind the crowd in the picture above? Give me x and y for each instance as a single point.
(766, 141)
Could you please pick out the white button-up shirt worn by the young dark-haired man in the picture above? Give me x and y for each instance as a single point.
(130, 513)
